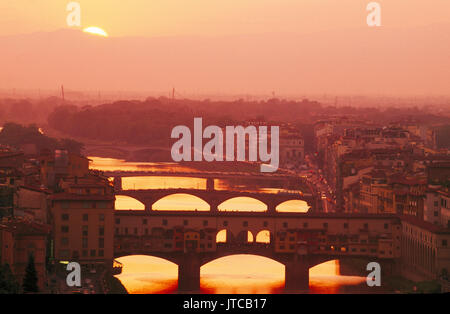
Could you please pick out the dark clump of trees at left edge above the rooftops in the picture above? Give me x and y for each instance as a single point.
(16, 135)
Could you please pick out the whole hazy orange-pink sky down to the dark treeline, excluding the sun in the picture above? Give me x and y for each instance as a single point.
(238, 47)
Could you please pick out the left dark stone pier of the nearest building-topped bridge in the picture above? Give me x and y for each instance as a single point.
(189, 273)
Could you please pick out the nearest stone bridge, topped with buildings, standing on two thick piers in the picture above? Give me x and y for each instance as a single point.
(335, 236)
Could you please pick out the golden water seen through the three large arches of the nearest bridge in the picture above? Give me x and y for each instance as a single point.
(231, 274)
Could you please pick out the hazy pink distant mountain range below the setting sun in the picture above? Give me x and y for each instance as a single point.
(367, 60)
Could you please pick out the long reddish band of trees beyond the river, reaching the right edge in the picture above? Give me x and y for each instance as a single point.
(150, 122)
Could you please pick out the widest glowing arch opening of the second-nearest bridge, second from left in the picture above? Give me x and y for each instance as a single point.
(181, 202)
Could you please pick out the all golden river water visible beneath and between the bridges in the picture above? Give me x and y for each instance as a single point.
(231, 274)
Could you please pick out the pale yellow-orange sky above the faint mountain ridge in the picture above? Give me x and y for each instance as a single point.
(216, 17)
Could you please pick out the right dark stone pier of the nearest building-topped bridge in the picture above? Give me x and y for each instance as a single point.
(297, 275)
